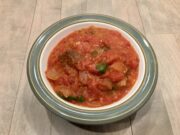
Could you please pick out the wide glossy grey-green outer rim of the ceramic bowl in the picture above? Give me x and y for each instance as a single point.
(84, 116)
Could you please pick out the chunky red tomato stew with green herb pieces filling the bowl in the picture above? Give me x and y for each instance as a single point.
(92, 67)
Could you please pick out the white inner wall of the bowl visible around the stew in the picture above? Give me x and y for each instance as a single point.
(53, 41)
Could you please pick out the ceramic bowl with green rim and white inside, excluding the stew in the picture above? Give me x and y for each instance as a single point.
(135, 99)
